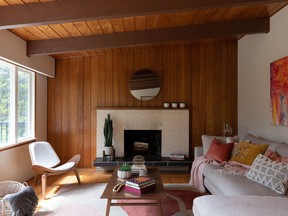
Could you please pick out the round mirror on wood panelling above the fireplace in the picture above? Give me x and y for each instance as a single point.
(145, 84)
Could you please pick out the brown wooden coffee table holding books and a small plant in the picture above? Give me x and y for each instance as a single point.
(155, 196)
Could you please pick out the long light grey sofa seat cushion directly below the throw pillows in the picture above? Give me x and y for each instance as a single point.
(232, 185)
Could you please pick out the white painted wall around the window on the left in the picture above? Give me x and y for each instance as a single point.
(15, 163)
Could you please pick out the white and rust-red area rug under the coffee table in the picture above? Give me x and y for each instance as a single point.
(85, 200)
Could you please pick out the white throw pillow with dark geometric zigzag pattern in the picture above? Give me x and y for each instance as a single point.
(269, 173)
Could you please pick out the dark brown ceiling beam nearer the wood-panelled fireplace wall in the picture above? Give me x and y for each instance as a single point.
(149, 37)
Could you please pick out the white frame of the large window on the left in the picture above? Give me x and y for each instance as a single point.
(13, 116)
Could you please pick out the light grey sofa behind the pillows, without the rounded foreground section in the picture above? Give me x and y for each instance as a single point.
(224, 184)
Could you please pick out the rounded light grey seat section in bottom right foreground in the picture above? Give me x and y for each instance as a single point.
(239, 205)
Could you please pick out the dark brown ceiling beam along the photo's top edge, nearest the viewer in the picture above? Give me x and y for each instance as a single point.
(45, 13)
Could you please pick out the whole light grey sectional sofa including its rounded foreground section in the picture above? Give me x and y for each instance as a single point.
(239, 189)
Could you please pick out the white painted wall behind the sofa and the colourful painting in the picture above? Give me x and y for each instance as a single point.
(255, 53)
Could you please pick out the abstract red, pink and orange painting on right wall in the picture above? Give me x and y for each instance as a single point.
(279, 91)
